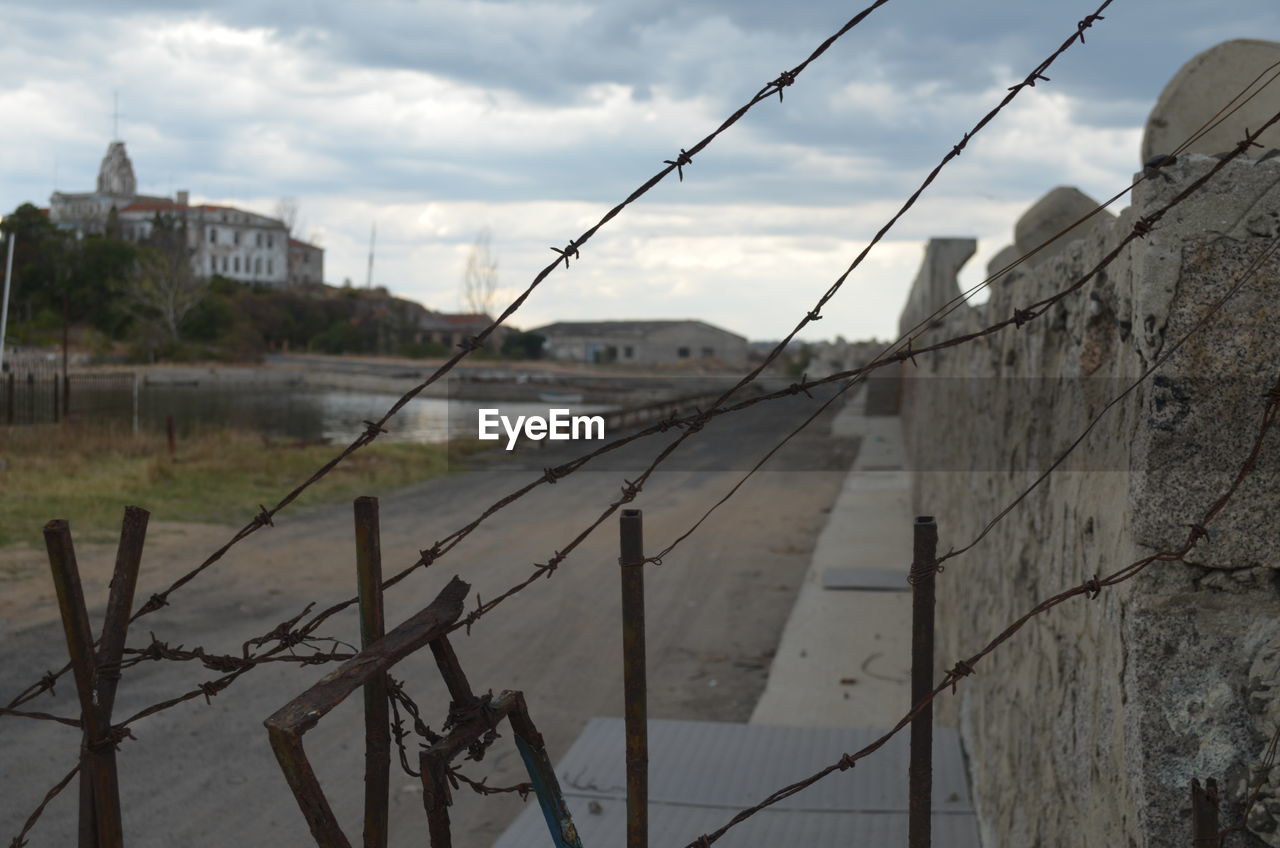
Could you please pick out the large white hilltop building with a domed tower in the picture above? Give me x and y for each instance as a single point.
(223, 240)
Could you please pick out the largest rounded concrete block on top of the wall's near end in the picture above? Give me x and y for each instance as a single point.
(1201, 89)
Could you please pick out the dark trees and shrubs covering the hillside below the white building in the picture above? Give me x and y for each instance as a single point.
(140, 302)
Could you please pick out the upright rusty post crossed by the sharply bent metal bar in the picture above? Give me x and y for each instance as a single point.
(373, 627)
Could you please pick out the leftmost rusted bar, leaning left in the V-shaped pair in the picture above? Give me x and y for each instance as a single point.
(100, 808)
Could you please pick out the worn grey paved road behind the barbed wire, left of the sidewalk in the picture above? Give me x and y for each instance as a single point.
(203, 774)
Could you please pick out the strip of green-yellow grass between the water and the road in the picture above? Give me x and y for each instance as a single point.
(89, 475)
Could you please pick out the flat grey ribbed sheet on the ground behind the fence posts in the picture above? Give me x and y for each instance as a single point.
(701, 773)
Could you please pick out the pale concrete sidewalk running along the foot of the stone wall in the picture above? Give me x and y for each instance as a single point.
(845, 655)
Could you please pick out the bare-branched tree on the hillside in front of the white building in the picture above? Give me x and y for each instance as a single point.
(162, 281)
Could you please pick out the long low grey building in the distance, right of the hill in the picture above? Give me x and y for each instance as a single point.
(644, 343)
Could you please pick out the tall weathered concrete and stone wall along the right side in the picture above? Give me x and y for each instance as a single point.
(1089, 726)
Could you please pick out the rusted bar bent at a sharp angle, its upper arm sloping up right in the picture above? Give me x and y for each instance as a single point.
(287, 724)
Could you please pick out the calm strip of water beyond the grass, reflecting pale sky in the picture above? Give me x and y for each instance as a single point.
(309, 414)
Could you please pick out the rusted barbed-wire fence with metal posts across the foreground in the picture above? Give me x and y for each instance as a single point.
(470, 723)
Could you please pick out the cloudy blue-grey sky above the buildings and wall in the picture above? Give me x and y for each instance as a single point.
(440, 118)
